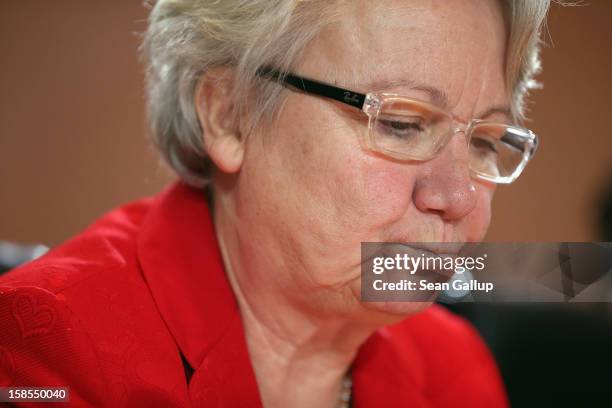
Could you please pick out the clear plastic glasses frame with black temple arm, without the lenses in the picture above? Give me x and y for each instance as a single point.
(371, 104)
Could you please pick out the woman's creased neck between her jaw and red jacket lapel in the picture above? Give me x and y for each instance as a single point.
(299, 358)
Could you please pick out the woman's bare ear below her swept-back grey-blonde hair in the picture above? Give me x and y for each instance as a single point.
(222, 139)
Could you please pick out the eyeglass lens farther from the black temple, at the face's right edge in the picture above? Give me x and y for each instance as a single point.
(498, 151)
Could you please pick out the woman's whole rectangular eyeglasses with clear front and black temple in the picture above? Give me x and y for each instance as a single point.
(407, 129)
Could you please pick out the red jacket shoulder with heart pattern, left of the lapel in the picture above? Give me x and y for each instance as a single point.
(82, 316)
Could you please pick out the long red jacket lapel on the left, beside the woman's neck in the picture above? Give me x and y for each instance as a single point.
(182, 265)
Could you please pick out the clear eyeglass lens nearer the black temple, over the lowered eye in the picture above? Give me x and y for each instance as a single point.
(408, 129)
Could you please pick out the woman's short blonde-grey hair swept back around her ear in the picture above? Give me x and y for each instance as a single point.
(186, 38)
